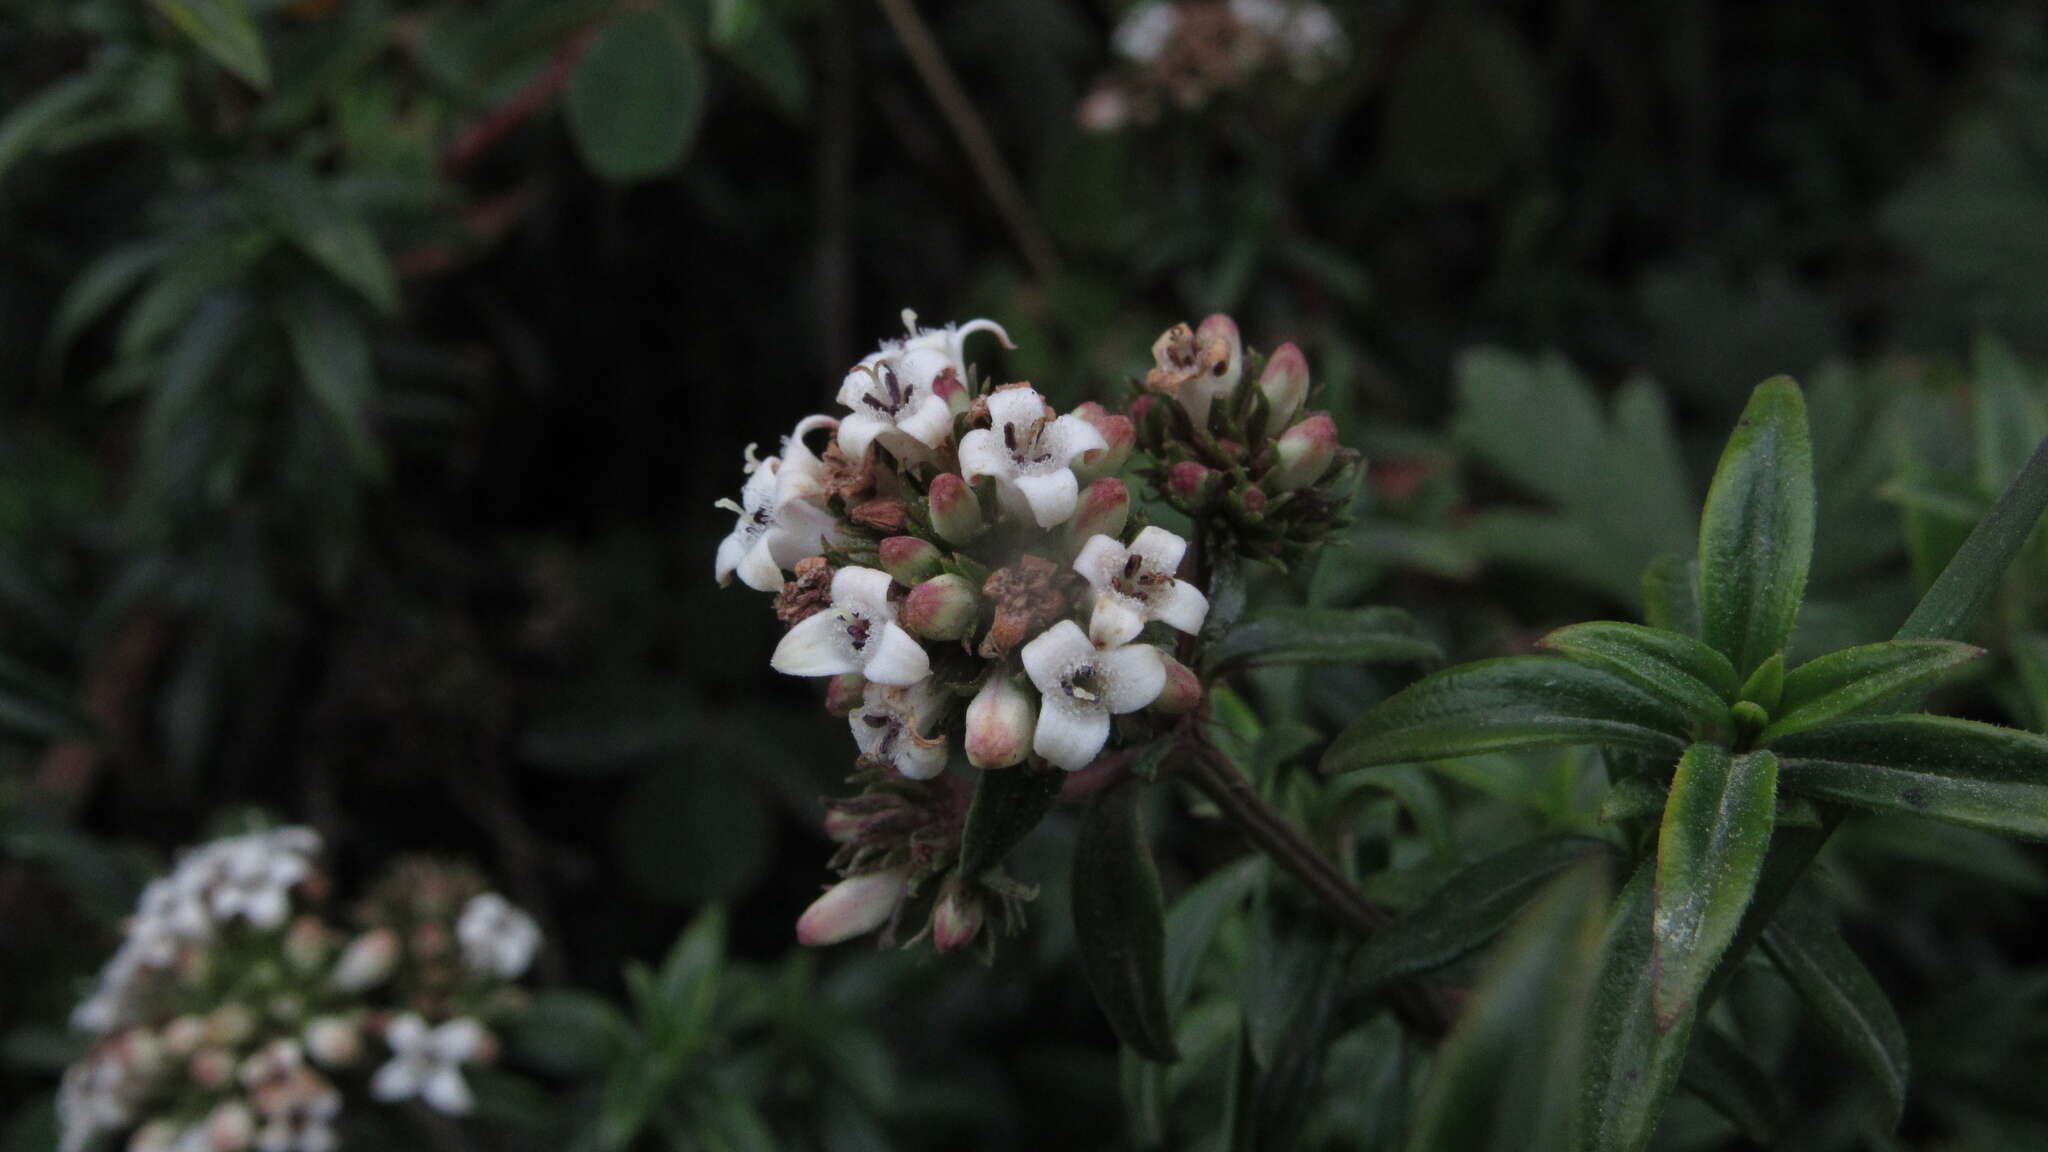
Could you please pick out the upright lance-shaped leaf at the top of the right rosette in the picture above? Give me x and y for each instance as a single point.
(1756, 534)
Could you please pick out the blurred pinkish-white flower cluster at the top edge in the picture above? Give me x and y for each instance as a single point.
(1185, 52)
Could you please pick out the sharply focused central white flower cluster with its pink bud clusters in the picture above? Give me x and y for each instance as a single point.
(970, 575)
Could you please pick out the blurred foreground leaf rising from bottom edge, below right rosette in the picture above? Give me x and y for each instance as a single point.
(1504, 1077)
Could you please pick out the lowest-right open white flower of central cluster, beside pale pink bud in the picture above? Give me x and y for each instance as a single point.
(1080, 688)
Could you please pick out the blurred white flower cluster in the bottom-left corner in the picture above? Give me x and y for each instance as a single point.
(237, 1018)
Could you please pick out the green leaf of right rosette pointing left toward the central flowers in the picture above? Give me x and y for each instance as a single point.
(1517, 702)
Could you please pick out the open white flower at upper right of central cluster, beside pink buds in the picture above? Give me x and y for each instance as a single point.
(1031, 456)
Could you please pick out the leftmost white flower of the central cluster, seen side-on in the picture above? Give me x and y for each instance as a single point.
(781, 516)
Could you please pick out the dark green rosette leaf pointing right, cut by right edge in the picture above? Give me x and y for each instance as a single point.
(1963, 772)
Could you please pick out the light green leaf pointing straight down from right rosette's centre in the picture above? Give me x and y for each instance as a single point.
(1709, 856)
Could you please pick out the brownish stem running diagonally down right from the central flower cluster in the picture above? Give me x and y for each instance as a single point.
(1418, 1005)
